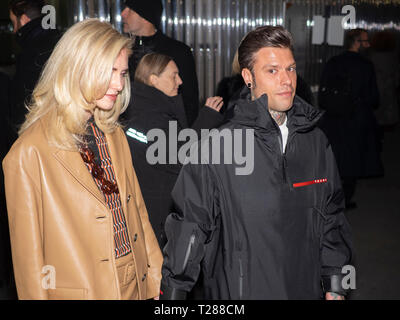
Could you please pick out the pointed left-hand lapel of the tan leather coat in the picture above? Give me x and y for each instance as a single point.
(74, 164)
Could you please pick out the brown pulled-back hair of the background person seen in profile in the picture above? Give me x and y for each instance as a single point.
(151, 63)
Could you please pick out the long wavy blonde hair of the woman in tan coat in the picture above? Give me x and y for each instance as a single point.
(76, 75)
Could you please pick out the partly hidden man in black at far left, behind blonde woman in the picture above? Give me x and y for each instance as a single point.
(36, 45)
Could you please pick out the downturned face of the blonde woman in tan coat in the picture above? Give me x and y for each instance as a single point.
(120, 71)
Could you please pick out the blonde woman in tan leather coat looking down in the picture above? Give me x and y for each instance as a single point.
(78, 224)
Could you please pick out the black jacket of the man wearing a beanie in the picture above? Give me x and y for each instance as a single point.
(182, 56)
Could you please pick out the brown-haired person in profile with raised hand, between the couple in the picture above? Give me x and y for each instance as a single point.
(156, 103)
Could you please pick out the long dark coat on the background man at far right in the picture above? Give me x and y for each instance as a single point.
(354, 137)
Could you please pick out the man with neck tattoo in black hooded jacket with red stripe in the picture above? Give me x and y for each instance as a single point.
(277, 231)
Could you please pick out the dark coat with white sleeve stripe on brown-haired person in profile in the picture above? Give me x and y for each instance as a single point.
(152, 109)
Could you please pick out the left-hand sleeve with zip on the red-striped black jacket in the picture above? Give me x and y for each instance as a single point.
(188, 230)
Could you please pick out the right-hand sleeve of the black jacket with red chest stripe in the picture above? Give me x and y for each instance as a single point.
(336, 242)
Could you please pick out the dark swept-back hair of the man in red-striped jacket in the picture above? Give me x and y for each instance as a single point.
(262, 37)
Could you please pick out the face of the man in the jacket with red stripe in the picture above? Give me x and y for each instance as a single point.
(274, 74)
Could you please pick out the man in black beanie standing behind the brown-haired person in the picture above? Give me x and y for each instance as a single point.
(142, 20)
